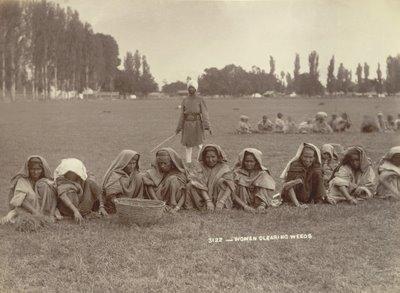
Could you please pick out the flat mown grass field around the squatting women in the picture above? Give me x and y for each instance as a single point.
(351, 249)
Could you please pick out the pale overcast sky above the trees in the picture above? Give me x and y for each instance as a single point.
(181, 38)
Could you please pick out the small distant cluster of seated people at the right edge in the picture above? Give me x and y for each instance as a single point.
(380, 124)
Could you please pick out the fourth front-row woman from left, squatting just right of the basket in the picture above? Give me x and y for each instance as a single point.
(166, 180)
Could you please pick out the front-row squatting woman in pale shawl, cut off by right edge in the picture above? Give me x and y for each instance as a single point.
(389, 174)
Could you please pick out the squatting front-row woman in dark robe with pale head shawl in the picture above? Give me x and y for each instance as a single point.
(303, 177)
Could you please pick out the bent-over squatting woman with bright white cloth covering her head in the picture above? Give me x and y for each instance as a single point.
(77, 192)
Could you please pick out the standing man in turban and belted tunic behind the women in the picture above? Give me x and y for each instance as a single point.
(193, 120)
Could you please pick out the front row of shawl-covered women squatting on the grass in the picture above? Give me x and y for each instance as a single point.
(311, 176)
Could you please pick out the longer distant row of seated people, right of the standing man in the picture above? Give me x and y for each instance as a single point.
(320, 124)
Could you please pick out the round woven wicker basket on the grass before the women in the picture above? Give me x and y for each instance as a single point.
(139, 211)
